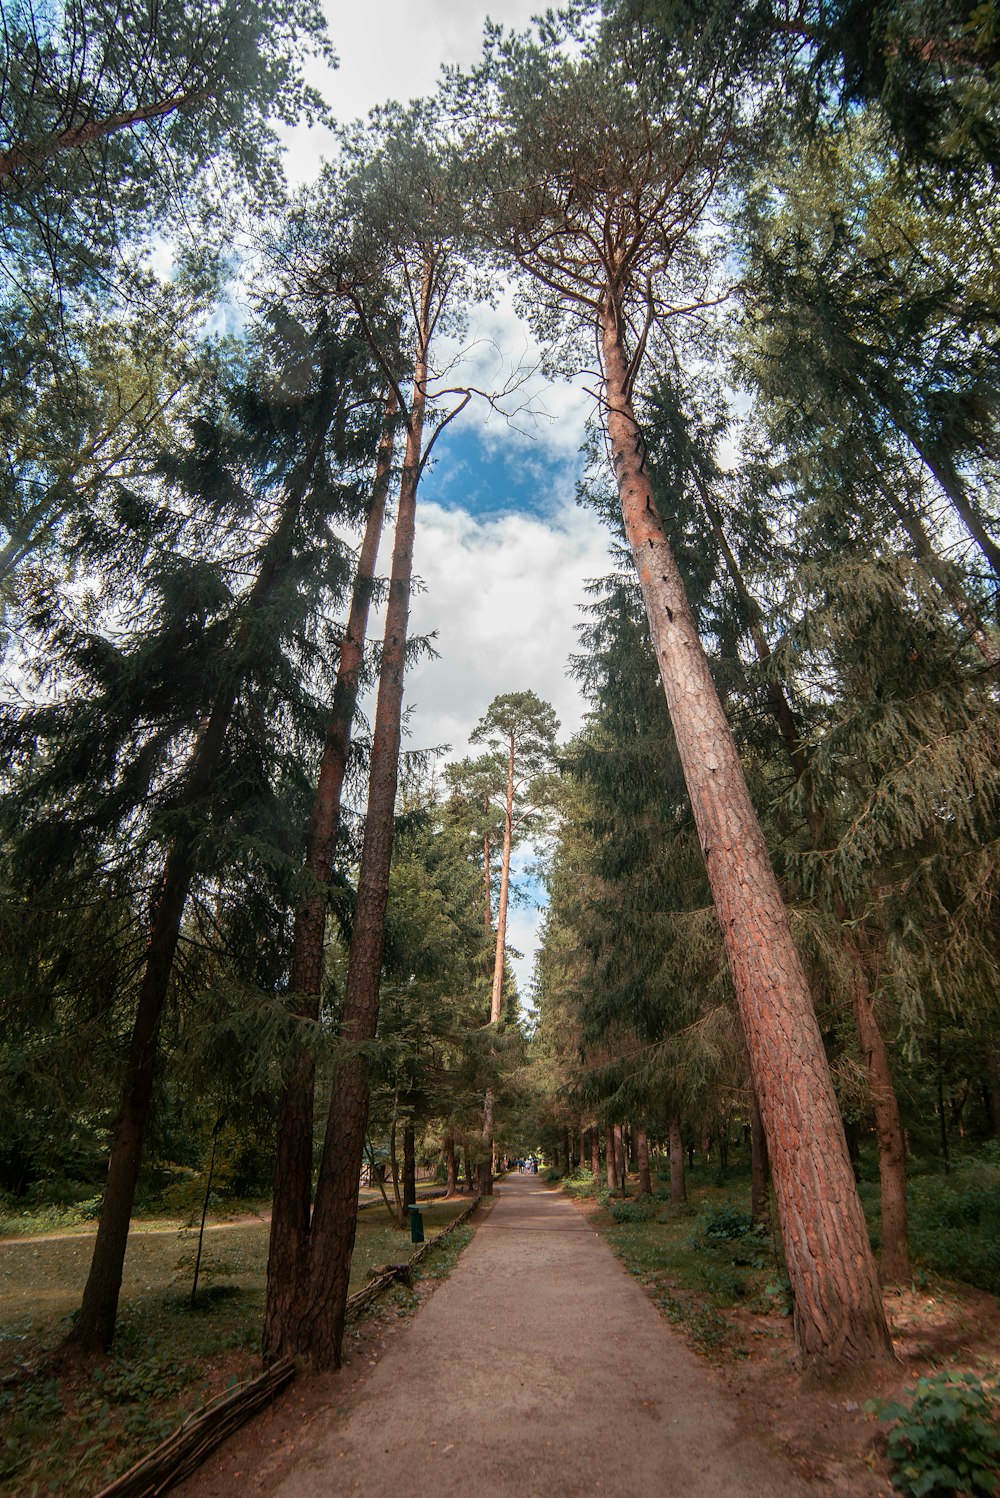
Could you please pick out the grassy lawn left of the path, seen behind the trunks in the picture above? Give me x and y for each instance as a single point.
(76, 1433)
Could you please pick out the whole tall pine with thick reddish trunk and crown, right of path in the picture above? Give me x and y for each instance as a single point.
(603, 221)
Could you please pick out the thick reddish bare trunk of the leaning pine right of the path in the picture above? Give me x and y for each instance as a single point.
(839, 1314)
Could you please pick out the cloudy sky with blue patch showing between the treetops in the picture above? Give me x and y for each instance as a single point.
(502, 552)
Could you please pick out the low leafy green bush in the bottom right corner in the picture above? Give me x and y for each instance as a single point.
(947, 1439)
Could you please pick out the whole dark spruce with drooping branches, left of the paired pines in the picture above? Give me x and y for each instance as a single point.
(272, 443)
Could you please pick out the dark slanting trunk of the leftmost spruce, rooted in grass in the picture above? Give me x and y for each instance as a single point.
(95, 1326)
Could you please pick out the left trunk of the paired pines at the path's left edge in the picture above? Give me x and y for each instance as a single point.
(288, 1253)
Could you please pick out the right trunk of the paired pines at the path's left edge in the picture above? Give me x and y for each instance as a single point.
(318, 1319)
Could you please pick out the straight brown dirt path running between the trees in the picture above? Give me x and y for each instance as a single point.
(540, 1370)
